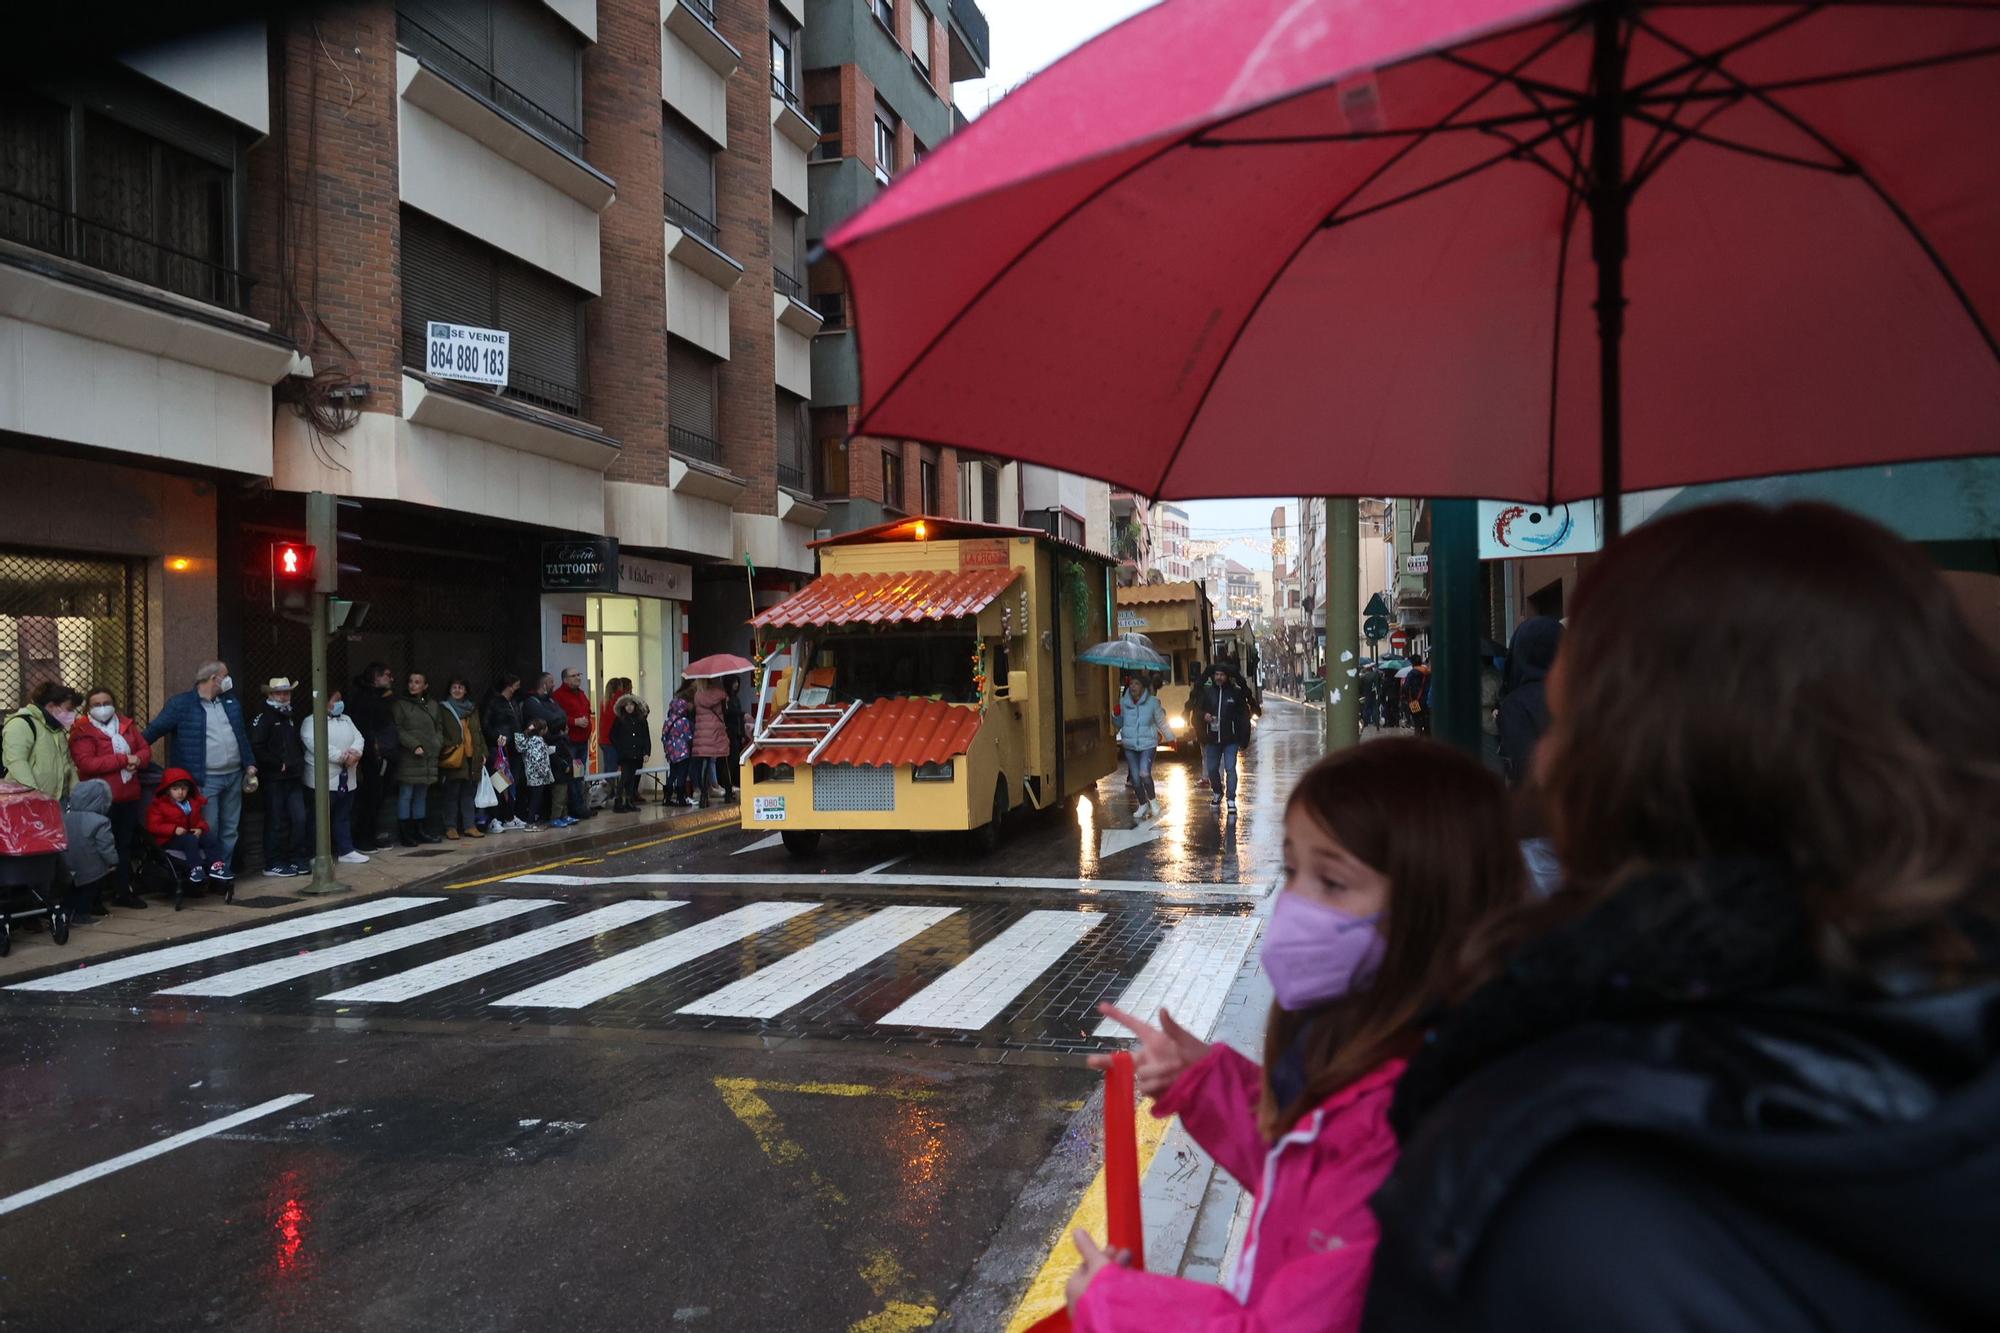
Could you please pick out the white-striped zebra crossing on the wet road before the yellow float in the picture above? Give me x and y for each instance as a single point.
(843, 968)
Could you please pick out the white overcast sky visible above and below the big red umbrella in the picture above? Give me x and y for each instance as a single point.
(1029, 35)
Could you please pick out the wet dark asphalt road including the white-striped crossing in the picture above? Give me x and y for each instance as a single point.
(771, 1094)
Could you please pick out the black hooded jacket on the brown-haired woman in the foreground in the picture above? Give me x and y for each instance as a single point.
(1667, 1120)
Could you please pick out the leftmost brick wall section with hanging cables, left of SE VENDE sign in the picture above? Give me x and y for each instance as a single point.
(331, 159)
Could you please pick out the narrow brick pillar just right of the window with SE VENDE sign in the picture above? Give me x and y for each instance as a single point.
(627, 325)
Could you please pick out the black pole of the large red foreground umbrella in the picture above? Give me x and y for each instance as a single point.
(1609, 213)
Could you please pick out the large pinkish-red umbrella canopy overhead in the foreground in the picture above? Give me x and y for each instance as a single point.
(1345, 247)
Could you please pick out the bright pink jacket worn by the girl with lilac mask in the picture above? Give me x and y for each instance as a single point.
(1311, 1242)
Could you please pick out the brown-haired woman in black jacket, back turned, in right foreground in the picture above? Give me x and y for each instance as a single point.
(1743, 1072)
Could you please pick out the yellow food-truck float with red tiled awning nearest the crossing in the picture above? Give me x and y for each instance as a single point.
(929, 682)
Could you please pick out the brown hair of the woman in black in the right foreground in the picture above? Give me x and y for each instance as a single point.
(1785, 686)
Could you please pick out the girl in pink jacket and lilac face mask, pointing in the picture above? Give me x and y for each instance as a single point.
(1393, 854)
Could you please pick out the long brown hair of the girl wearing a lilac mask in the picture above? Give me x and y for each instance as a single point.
(1437, 826)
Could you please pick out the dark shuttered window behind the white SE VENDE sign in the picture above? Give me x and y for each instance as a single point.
(453, 277)
